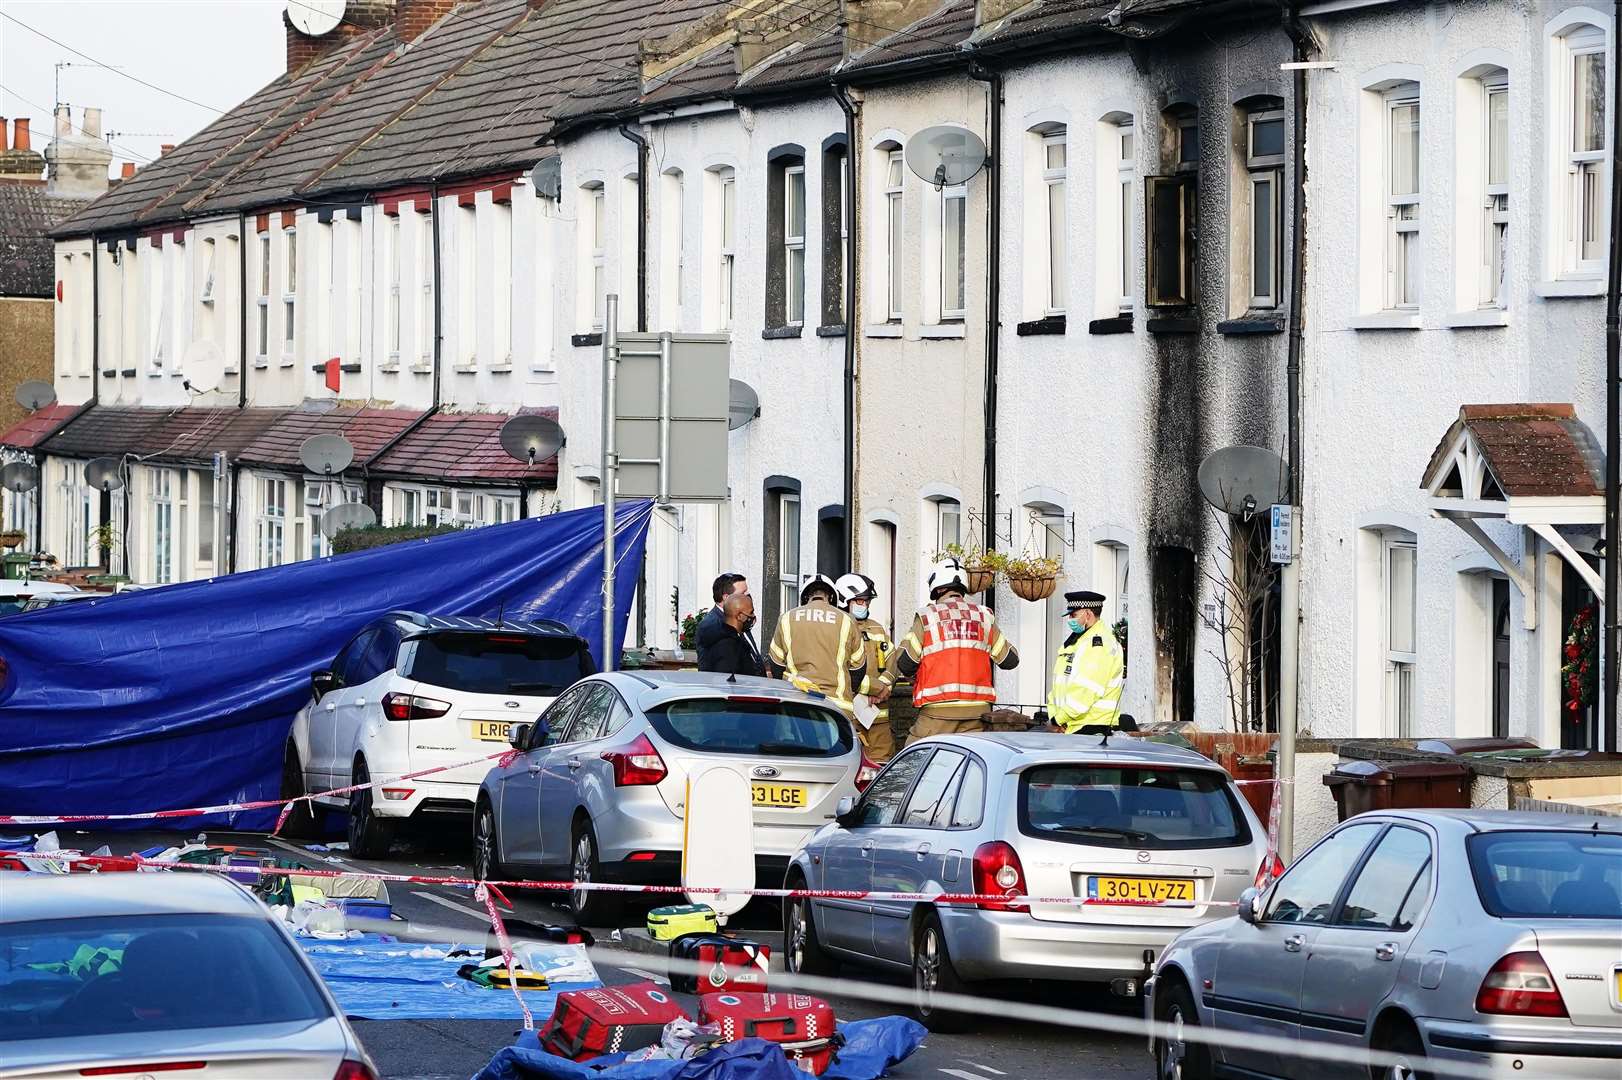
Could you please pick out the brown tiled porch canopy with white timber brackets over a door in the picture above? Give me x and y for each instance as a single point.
(1530, 465)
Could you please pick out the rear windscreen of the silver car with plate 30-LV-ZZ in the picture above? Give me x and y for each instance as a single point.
(1131, 808)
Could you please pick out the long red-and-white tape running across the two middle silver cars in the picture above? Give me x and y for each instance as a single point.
(997, 899)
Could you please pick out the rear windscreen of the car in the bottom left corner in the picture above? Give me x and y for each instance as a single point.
(80, 977)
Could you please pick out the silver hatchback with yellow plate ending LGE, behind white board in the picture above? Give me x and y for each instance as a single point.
(599, 787)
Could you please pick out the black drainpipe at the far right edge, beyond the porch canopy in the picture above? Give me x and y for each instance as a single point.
(1613, 632)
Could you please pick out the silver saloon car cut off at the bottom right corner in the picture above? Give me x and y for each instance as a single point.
(1488, 938)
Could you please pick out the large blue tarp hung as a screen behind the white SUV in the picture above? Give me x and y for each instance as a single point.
(182, 696)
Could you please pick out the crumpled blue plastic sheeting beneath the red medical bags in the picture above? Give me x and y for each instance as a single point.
(872, 1047)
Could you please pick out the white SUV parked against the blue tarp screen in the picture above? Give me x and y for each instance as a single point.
(418, 692)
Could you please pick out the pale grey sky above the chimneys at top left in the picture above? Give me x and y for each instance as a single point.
(210, 51)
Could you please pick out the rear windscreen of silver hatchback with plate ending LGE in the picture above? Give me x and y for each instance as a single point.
(737, 727)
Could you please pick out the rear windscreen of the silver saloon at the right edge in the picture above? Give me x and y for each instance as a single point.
(1548, 875)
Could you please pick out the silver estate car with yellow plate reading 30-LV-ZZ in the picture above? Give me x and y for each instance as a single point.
(1024, 815)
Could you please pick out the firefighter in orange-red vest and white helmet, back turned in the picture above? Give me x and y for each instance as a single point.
(950, 654)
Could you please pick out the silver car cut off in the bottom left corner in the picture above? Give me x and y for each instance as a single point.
(155, 974)
